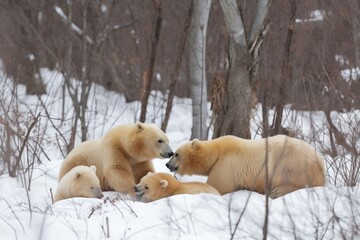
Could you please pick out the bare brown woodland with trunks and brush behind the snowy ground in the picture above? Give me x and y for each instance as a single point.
(302, 54)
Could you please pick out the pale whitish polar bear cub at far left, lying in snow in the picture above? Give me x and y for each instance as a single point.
(81, 181)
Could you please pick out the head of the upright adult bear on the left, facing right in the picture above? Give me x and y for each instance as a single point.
(150, 142)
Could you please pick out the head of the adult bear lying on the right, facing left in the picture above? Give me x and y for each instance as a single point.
(190, 158)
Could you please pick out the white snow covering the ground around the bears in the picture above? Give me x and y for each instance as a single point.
(330, 212)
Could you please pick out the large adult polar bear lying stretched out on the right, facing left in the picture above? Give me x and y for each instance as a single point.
(233, 163)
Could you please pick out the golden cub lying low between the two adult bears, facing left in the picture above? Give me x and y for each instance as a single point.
(155, 186)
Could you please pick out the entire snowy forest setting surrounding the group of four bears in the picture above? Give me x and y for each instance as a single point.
(71, 70)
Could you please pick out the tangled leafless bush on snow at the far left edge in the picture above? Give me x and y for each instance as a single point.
(22, 136)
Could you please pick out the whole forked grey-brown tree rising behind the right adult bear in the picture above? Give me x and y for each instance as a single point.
(243, 50)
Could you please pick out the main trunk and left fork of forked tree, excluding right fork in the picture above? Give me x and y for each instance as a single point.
(235, 116)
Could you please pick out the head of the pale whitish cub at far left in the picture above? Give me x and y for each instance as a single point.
(85, 183)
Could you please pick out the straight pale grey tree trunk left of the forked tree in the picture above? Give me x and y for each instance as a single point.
(197, 68)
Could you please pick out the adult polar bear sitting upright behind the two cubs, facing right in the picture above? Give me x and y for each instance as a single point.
(122, 156)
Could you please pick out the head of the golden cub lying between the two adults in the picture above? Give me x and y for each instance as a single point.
(154, 186)
